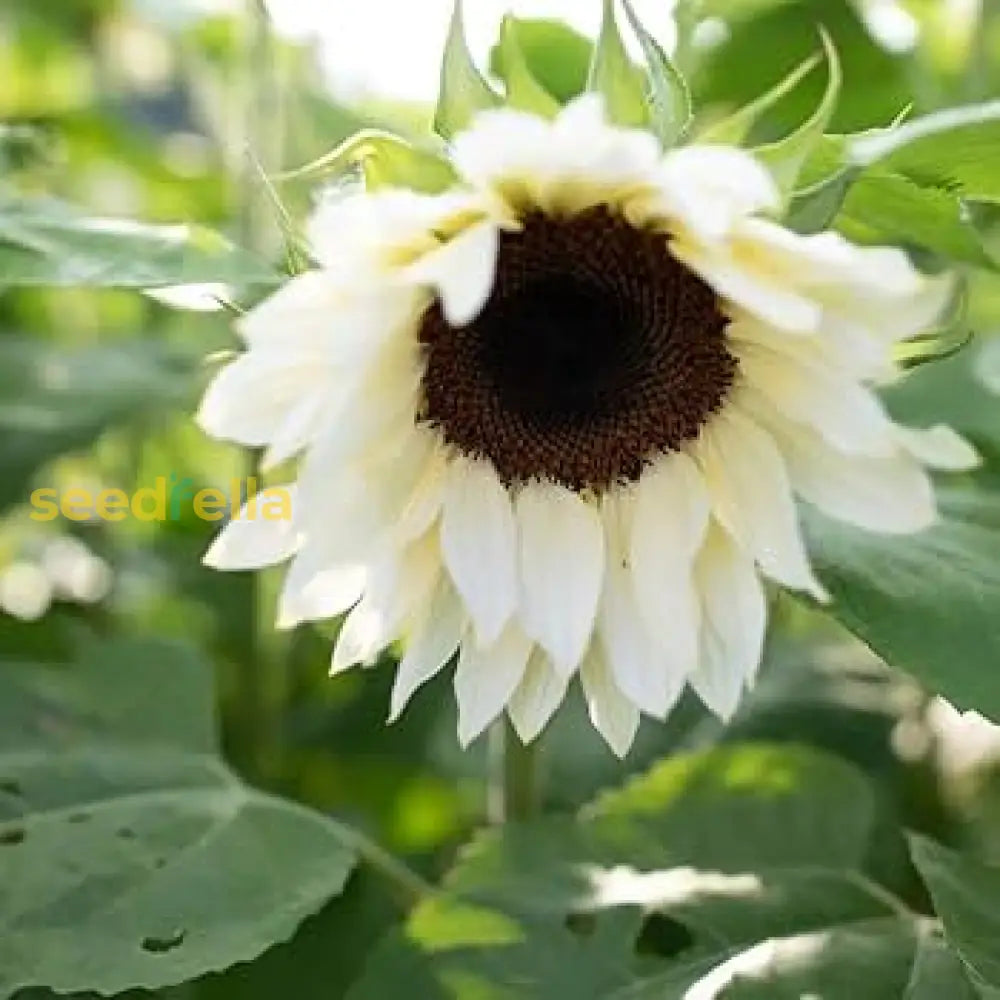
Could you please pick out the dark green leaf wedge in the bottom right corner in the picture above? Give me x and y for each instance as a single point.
(966, 895)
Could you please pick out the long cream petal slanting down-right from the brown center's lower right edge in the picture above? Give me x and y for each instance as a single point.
(752, 497)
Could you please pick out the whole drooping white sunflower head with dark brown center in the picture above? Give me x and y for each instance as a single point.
(555, 420)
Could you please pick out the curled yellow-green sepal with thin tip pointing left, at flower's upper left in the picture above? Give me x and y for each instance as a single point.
(385, 161)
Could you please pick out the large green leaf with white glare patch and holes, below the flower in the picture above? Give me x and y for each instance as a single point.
(714, 851)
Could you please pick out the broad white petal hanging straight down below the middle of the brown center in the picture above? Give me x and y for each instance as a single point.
(562, 563)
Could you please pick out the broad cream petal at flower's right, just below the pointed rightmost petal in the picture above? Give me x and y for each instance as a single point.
(888, 495)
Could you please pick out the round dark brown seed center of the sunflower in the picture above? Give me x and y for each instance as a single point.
(596, 352)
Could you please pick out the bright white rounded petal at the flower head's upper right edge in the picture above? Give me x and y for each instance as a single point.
(709, 188)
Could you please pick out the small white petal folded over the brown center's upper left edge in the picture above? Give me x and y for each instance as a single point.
(462, 272)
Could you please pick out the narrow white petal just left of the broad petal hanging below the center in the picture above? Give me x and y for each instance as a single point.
(479, 539)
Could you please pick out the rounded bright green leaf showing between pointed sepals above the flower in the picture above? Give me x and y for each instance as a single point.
(557, 57)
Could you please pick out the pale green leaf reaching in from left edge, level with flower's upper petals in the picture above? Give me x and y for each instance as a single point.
(45, 242)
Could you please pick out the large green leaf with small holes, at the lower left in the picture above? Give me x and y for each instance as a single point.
(129, 854)
